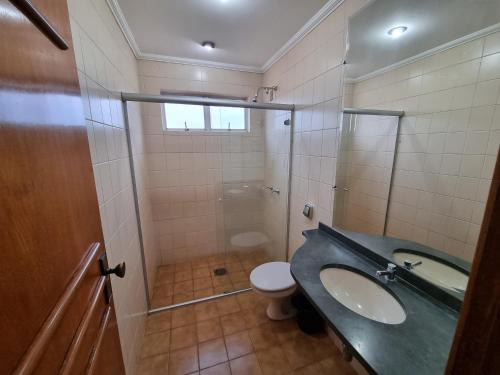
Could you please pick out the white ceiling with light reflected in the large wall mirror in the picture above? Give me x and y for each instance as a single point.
(431, 25)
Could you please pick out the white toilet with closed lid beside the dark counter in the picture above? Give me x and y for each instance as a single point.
(274, 281)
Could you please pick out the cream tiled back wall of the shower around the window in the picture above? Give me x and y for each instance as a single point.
(186, 171)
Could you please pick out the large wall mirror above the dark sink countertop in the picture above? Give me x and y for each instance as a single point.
(422, 176)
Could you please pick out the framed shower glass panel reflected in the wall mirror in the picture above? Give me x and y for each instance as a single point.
(364, 171)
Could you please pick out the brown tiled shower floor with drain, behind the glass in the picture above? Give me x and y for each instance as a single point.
(186, 281)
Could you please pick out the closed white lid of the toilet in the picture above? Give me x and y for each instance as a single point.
(272, 277)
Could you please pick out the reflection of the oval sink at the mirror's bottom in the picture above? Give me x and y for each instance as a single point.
(433, 270)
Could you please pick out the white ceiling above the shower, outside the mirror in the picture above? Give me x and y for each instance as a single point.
(247, 33)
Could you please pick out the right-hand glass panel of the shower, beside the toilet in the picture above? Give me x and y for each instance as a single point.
(253, 205)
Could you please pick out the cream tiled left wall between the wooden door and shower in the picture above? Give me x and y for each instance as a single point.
(106, 65)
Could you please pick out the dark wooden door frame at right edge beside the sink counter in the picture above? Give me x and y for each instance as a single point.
(476, 345)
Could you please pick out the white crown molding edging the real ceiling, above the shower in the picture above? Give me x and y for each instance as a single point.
(328, 8)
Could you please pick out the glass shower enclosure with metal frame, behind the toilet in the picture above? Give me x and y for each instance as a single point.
(231, 202)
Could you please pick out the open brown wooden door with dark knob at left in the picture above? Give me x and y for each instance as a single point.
(56, 309)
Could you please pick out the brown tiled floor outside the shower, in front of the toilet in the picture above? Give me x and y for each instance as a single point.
(232, 335)
